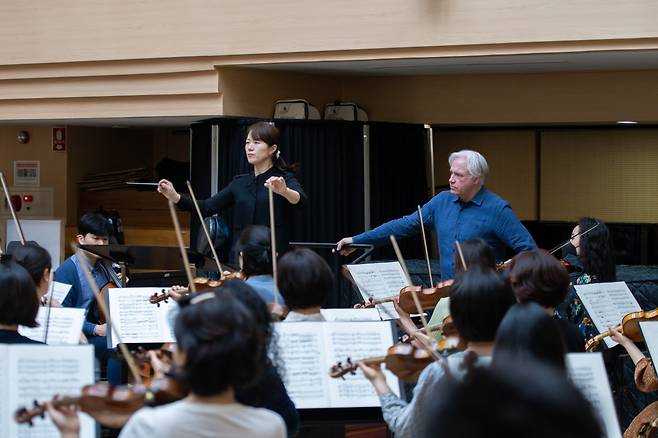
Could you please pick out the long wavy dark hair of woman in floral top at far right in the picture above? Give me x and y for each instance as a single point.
(597, 250)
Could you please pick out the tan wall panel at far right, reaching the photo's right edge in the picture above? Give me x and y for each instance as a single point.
(608, 174)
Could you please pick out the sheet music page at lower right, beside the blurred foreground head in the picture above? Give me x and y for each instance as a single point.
(587, 372)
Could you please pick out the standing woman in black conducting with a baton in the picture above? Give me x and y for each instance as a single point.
(248, 193)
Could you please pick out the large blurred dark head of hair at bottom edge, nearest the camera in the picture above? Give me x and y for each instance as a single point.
(508, 400)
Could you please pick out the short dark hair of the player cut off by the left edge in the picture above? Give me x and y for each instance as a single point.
(19, 301)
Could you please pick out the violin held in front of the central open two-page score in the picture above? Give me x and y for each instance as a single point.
(406, 361)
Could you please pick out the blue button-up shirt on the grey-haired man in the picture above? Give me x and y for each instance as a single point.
(487, 216)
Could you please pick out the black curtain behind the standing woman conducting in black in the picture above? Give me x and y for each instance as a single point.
(330, 155)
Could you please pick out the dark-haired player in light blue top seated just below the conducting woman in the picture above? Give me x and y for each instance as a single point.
(255, 259)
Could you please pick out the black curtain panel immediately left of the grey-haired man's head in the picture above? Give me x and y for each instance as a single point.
(398, 180)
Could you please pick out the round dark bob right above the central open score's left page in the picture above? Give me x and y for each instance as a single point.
(304, 279)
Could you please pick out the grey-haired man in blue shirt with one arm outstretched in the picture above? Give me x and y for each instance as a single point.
(467, 211)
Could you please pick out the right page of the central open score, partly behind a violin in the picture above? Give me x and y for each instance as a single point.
(357, 341)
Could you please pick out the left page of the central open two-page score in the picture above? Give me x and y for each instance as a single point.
(300, 350)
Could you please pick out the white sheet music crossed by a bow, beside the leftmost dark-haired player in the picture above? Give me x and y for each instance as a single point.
(65, 326)
